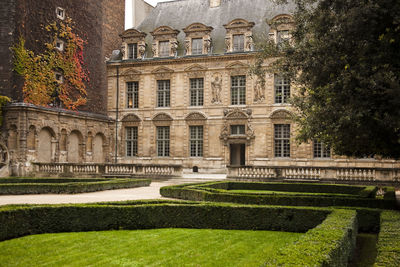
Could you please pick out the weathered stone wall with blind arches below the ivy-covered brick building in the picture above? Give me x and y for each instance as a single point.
(37, 134)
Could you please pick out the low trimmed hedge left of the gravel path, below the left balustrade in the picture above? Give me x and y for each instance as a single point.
(19, 186)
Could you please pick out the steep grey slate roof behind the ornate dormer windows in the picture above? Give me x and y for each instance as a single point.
(181, 13)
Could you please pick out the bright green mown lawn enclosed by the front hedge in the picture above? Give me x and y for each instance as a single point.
(156, 247)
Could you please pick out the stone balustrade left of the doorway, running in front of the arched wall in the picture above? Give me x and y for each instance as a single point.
(93, 169)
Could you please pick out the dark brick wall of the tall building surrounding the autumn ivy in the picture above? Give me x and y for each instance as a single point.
(97, 22)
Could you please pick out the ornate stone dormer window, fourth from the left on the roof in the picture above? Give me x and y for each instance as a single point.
(239, 36)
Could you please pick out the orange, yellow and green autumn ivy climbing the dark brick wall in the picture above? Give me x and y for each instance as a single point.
(54, 77)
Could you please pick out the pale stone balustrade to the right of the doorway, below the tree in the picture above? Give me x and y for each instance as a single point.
(391, 175)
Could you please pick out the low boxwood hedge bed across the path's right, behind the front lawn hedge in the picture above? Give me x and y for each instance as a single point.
(219, 192)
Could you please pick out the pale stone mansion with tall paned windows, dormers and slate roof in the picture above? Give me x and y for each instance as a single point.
(181, 91)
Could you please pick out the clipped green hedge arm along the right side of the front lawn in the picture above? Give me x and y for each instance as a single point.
(329, 244)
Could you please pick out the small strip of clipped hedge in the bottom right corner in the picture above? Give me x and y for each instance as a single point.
(389, 240)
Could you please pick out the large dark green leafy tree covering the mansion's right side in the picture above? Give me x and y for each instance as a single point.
(345, 60)
